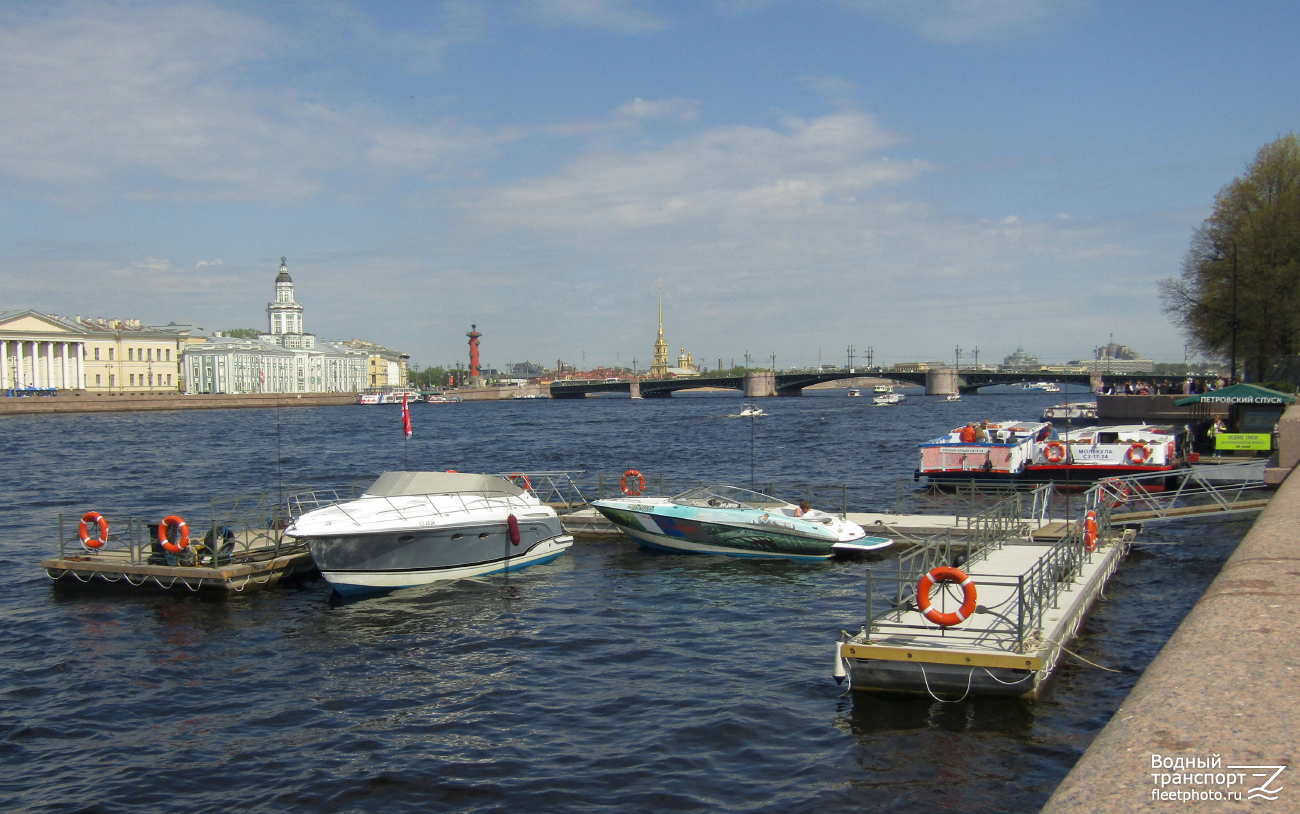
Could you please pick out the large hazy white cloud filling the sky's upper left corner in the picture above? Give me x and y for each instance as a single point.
(162, 102)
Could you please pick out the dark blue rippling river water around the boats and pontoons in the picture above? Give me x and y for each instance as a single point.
(614, 679)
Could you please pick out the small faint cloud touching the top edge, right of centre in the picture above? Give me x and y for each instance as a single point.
(955, 21)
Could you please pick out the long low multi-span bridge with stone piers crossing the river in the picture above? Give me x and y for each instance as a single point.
(939, 382)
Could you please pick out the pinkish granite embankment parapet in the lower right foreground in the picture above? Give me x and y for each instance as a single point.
(1224, 689)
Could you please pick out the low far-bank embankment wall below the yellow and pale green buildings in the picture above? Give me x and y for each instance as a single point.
(96, 402)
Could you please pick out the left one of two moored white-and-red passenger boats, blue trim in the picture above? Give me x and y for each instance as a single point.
(1004, 453)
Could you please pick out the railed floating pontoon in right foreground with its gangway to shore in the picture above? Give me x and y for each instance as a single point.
(1035, 582)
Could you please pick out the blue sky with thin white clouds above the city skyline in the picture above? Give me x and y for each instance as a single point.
(800, 176)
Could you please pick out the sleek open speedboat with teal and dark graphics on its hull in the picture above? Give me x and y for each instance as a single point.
(736, 522)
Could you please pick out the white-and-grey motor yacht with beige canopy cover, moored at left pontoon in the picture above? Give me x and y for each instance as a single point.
(414, 529)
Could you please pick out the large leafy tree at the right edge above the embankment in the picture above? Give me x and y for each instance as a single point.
(1238, 296)
